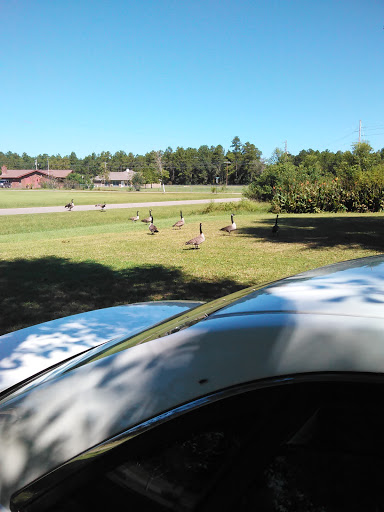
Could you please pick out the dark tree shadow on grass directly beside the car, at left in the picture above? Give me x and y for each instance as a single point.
(42, 289)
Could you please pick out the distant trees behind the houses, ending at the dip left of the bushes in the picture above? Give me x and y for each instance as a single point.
(204, 165)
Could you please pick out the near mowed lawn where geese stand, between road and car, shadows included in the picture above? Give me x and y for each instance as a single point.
(53, 265)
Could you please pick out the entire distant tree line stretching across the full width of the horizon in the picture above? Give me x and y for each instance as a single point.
(241, 164)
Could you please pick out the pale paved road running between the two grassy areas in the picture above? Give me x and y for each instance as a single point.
(132, 206)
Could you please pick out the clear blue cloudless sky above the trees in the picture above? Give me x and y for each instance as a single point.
(92, 75)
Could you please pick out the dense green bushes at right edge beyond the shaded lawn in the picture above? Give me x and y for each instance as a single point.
(314, 181)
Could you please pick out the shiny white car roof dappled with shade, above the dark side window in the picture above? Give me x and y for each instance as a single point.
(240, 343)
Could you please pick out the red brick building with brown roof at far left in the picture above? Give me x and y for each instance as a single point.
(33, 178)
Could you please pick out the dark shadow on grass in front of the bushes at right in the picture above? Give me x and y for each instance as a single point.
(320, 232)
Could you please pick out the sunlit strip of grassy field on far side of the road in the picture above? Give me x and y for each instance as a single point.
(34, 198)
